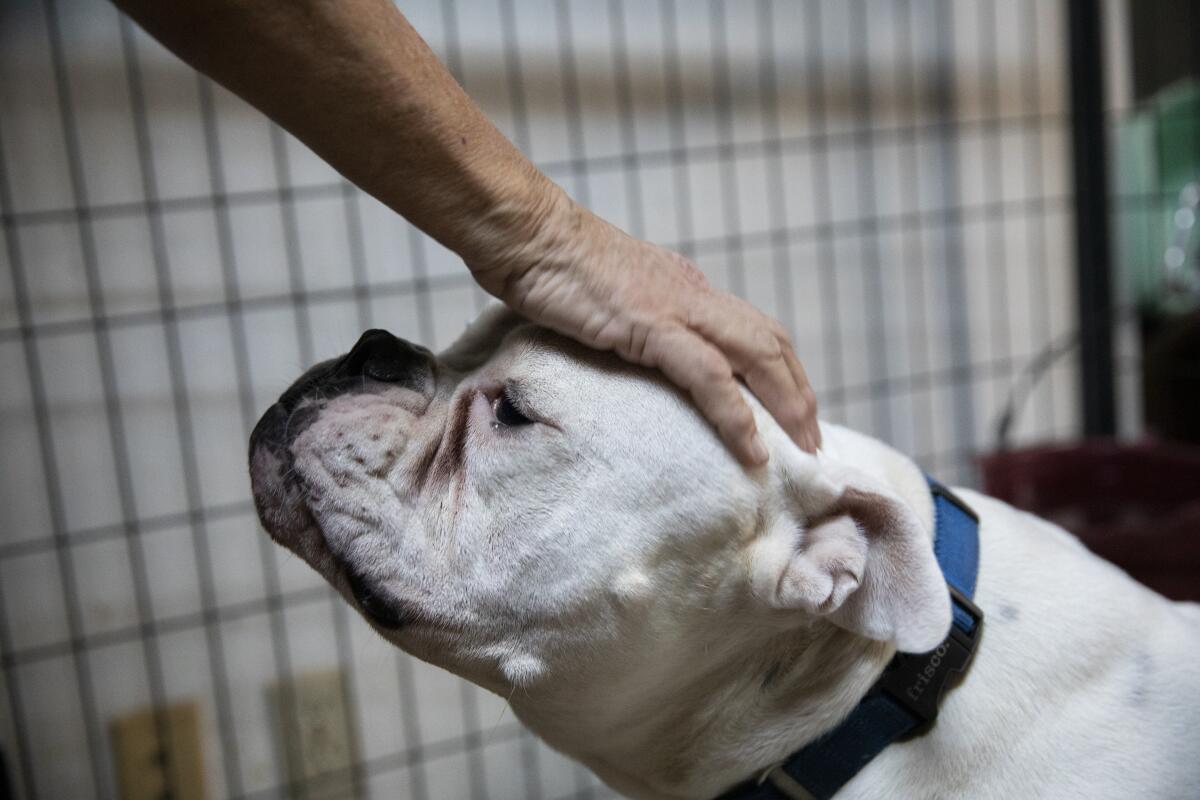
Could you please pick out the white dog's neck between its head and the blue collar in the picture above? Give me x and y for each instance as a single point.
(761, 694)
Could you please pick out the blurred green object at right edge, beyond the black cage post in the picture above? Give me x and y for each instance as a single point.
(1159, 159)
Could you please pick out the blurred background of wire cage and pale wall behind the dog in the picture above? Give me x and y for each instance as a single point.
(976, 218)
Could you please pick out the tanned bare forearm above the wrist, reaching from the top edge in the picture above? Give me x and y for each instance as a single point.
(355, 82)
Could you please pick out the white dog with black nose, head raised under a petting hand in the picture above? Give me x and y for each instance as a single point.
(567, 532)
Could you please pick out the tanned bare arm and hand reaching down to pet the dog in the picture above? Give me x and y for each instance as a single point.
(355, 82)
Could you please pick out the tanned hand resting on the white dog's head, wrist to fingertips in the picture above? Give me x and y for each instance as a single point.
(591, 281)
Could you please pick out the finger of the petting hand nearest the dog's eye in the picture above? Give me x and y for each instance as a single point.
(704, 372)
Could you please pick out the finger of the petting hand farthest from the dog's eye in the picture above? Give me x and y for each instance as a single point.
(758, 350)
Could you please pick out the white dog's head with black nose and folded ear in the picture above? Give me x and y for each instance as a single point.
(529, 513)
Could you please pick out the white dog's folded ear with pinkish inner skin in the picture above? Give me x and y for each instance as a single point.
(849, 550)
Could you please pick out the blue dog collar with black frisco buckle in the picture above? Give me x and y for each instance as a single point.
(907, 697)
